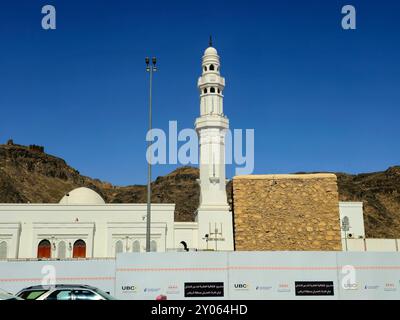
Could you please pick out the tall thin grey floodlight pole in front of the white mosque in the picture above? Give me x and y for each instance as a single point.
(149, 68)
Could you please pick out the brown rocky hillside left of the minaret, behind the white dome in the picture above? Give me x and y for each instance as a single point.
(27, 174)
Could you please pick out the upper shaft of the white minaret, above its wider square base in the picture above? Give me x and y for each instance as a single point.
(211, 127)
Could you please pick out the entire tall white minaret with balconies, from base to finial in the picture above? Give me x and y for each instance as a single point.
(213, 215)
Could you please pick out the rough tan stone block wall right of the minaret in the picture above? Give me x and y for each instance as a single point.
(286, 212)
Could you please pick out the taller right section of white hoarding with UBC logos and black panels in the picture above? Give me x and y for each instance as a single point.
(259, 275)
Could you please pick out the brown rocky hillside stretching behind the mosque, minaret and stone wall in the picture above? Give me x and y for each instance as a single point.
(27, 174)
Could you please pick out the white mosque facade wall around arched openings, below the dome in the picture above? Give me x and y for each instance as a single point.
(23, 226)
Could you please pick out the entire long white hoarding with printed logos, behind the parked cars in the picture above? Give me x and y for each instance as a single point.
(222, 275)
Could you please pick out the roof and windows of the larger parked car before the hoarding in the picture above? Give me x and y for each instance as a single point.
(64, 292)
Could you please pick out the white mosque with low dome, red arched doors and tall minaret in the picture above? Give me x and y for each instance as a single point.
(82, 225)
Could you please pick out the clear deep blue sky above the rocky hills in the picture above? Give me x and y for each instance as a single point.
(319, 98)
